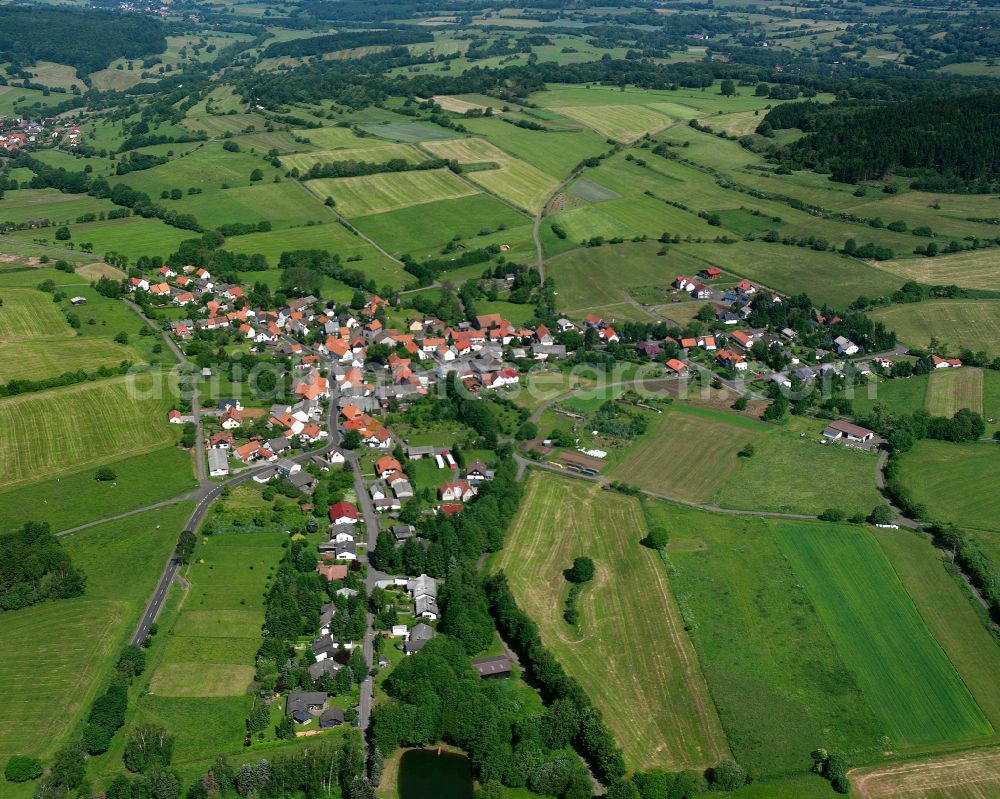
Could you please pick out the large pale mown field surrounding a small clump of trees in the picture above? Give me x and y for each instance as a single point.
(630, 651)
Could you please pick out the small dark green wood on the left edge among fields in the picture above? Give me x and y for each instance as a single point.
(34, 567)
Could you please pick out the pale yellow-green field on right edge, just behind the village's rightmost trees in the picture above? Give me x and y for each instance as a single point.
(958, 324)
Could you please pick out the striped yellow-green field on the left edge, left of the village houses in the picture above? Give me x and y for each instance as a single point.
(67, 429)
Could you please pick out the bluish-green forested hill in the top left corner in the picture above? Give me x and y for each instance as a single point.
(85, 39)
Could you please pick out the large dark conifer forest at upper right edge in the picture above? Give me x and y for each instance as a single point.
(947, 143)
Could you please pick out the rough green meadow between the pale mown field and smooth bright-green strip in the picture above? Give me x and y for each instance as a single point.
(771, 666)
